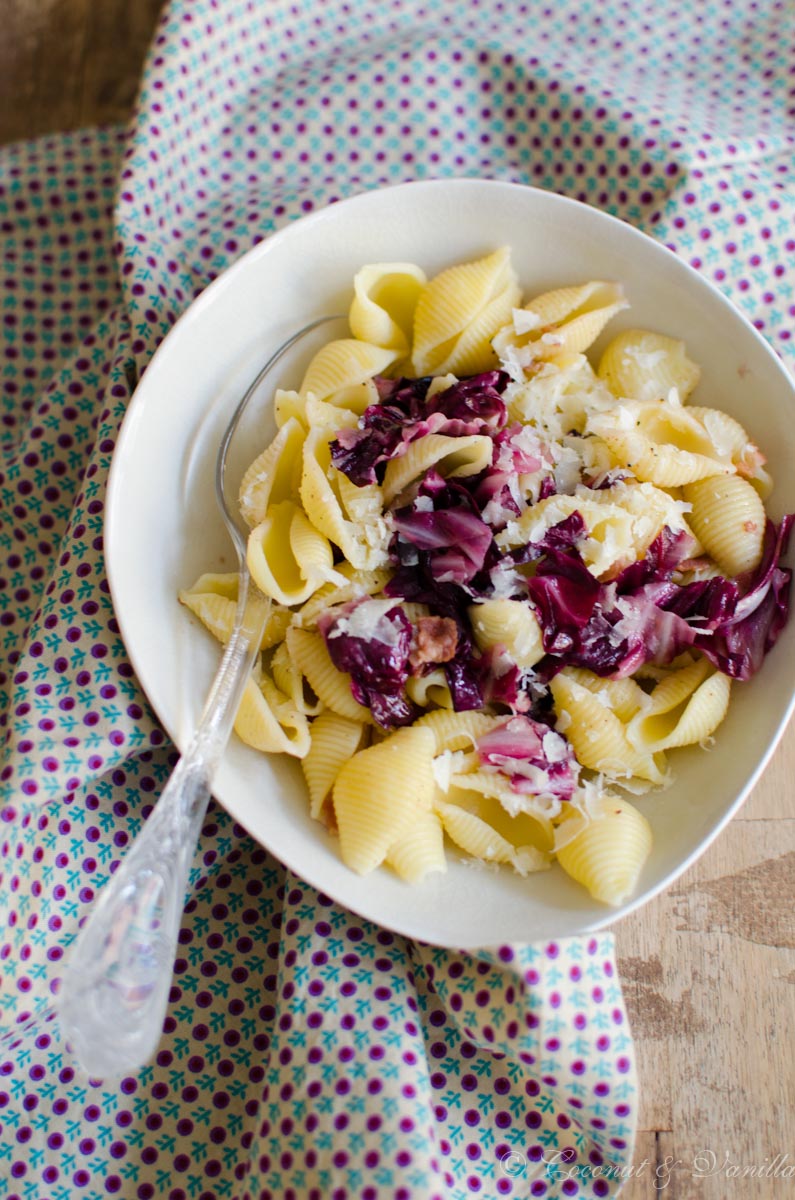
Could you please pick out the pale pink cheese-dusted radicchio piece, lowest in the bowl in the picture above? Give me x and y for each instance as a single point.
(537, 760)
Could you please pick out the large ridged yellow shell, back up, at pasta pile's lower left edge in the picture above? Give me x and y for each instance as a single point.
(379, 794)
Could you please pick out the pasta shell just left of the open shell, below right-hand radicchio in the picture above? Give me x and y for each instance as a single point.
(597, 735)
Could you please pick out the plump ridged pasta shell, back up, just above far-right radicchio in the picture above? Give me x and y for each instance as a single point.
(728, 518)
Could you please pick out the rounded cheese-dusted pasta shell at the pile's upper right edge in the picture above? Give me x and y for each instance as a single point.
(642, 365)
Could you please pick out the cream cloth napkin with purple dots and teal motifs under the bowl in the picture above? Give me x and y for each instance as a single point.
(308, 1054)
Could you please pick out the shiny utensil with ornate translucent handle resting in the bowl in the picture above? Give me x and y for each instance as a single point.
(115, 993)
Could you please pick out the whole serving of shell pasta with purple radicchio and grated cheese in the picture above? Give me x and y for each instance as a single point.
(509, 583)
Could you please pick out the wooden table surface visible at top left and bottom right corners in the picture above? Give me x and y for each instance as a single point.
(708, 968)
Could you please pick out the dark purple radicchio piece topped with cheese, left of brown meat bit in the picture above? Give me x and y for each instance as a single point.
(370, 640)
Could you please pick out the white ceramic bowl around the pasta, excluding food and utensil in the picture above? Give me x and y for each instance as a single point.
(163, 527)
